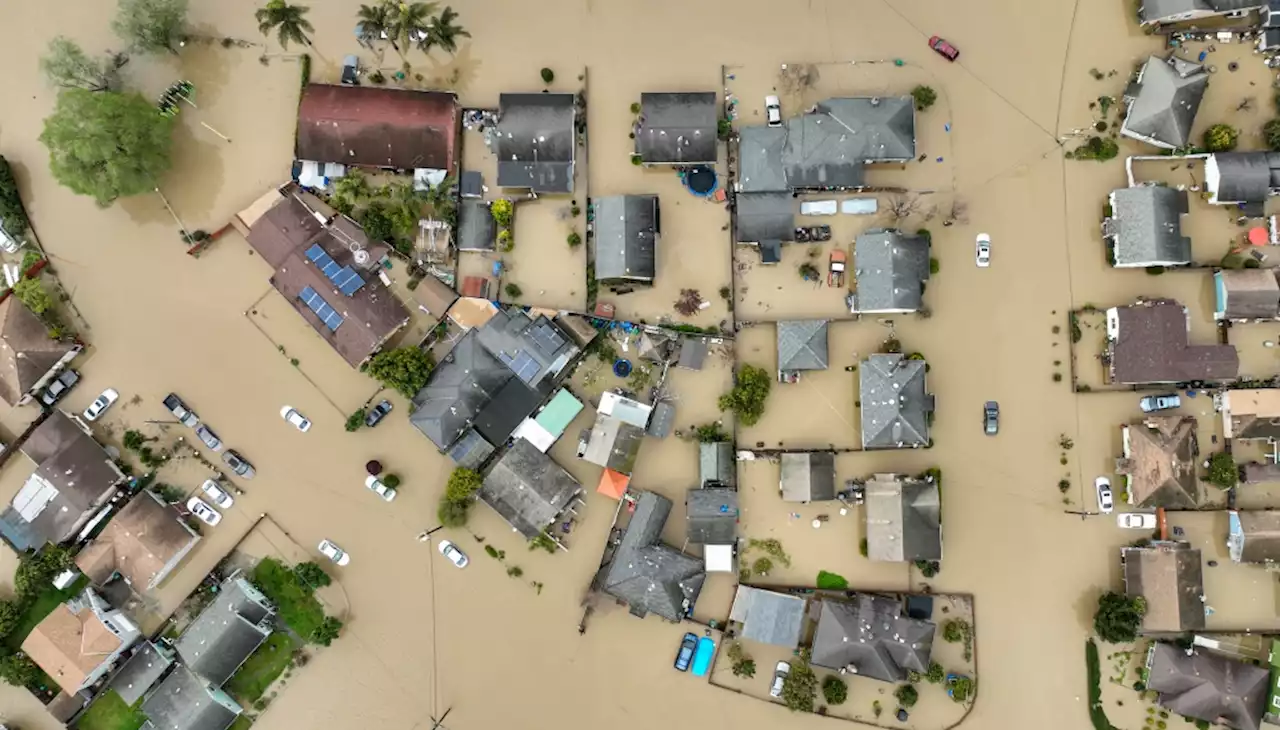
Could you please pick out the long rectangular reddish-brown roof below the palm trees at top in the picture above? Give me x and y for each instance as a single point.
(378, 127)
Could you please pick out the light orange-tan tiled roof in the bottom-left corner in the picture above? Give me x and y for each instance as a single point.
(70, 646)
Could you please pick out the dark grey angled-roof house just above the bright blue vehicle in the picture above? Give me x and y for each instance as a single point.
(648, 576)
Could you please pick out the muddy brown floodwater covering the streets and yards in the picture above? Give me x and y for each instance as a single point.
(500, 653)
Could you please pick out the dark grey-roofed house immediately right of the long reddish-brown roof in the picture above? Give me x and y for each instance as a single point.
(537, 142)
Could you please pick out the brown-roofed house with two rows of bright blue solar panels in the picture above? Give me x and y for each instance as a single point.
(328, 270)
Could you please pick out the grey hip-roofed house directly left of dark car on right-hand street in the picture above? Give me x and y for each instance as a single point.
(897, 410)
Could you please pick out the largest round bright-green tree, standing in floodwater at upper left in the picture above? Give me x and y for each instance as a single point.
(107, 145)
